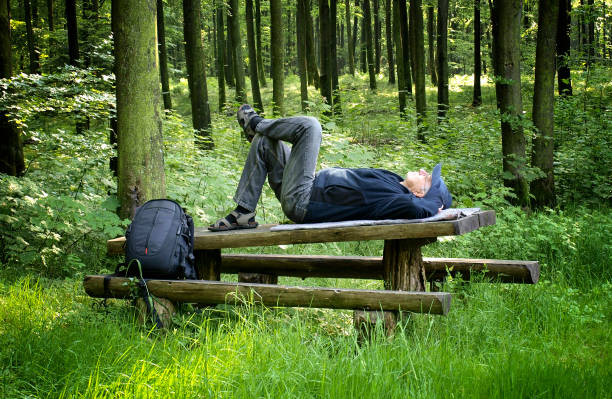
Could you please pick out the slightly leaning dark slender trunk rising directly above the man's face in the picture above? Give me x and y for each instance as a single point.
(416, 20)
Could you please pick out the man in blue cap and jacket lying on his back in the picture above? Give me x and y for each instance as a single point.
(330, 195)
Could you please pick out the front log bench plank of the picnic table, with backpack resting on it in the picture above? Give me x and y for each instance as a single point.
(213, 292)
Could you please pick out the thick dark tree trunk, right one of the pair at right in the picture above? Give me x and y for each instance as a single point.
(543, 189)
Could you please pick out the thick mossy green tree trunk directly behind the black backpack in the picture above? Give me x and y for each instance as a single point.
(140, 144)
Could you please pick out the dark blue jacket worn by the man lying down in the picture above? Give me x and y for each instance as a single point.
(370, 194)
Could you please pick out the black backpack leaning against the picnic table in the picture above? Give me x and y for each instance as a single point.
(160, 237)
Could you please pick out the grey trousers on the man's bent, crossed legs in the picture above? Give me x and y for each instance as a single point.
(290, 172)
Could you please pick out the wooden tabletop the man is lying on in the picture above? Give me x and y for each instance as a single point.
(262, 236)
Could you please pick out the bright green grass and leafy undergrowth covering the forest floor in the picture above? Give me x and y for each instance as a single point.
(548, 340)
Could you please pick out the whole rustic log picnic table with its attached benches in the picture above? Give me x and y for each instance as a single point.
(402, 268)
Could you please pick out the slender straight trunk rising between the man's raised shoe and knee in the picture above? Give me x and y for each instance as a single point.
(278, 71)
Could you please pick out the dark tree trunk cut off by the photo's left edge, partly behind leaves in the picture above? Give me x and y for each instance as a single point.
(11, 146)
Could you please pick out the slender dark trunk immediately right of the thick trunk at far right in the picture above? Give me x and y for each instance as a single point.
(564, 78)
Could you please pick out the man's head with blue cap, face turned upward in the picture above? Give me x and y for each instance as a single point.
(429, 186)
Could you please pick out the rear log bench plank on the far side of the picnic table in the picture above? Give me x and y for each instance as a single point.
(370, 267)
